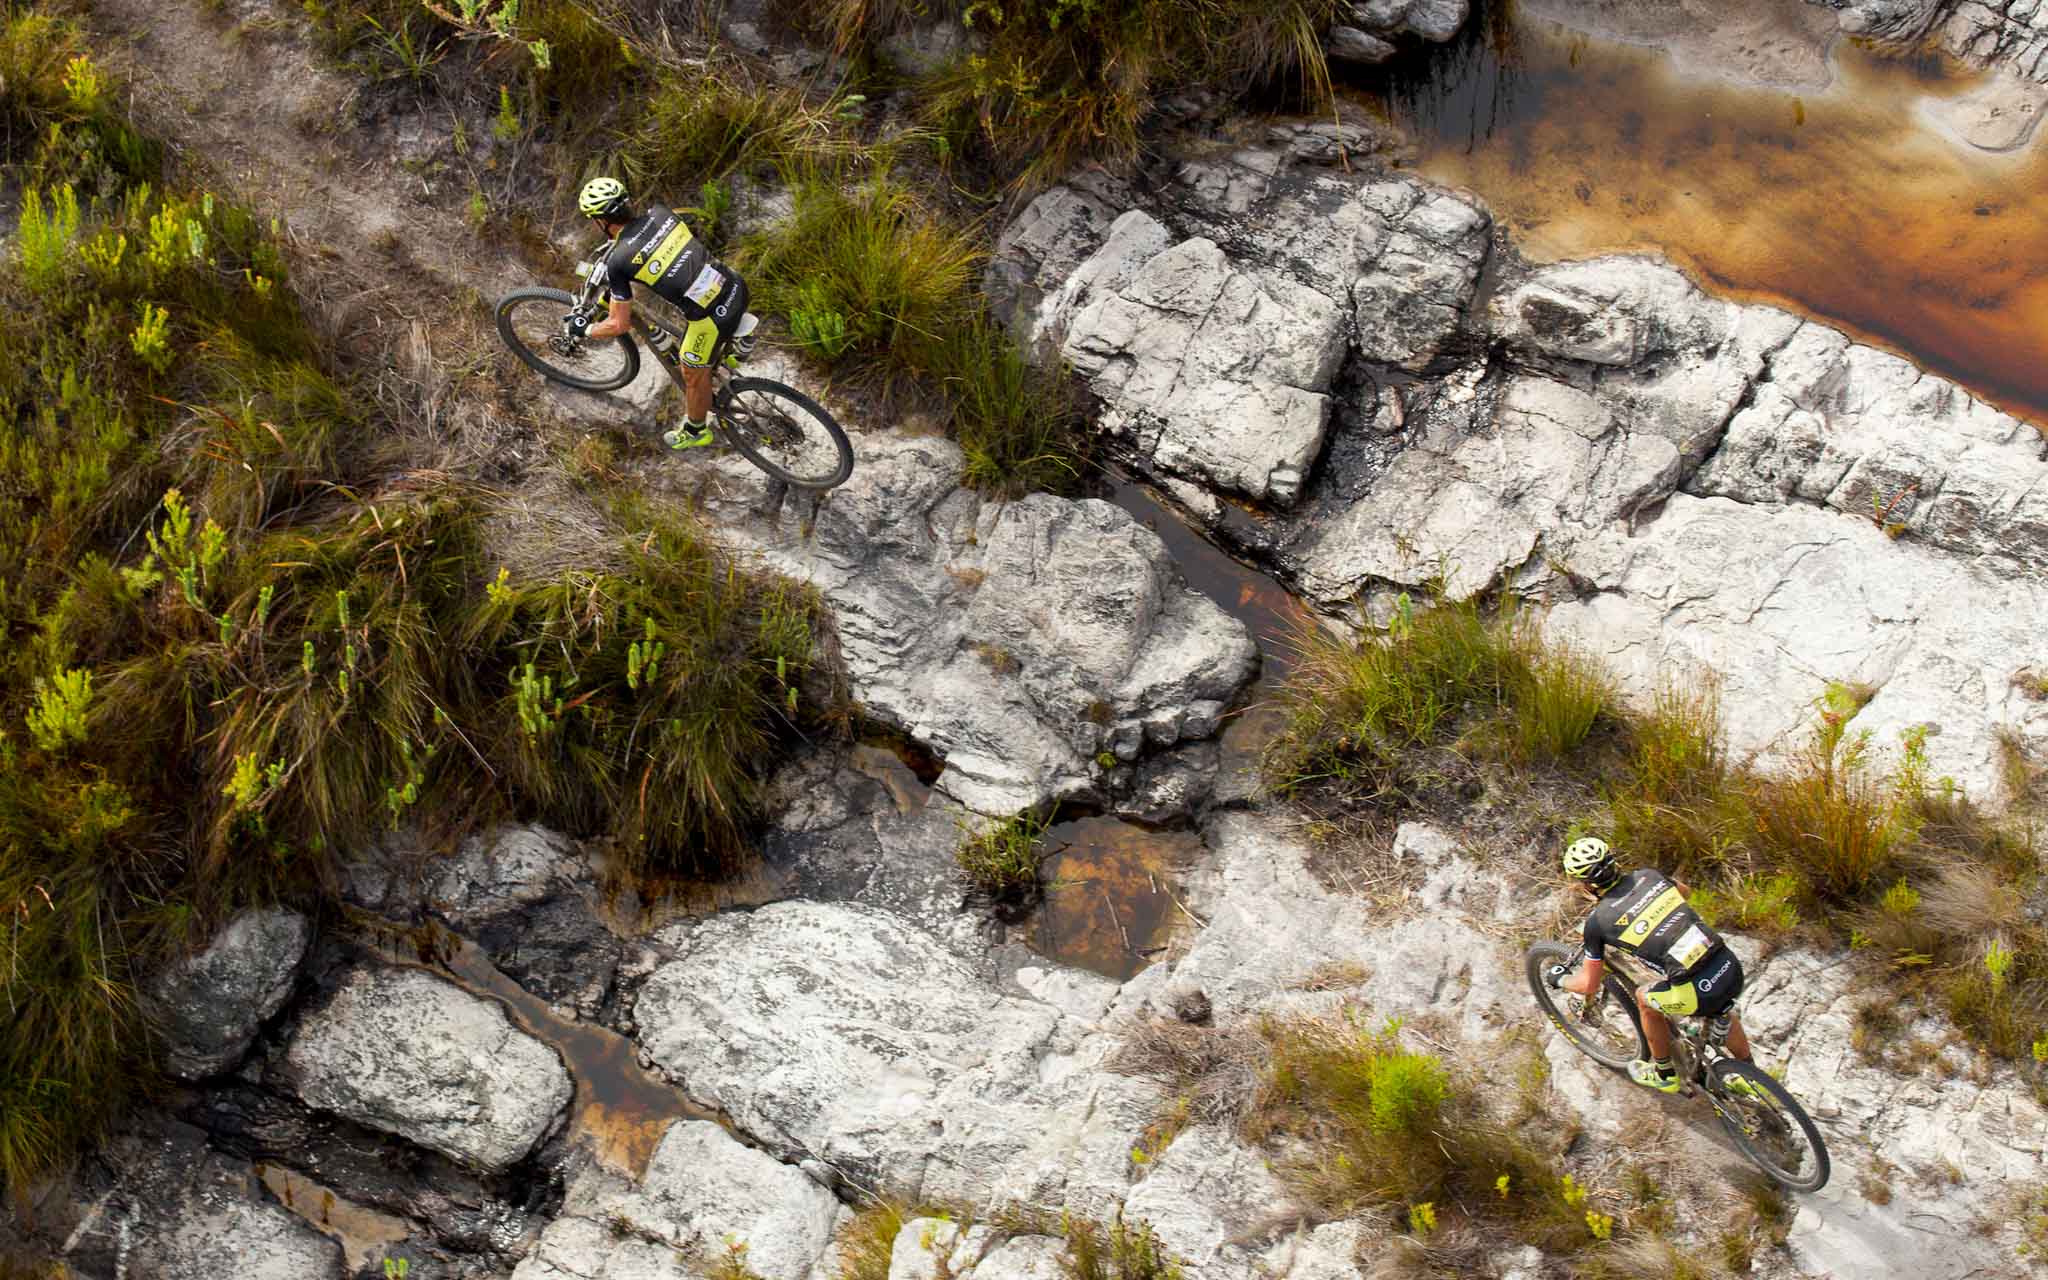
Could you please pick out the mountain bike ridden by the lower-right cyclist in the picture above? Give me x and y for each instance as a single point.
(1770, 1127)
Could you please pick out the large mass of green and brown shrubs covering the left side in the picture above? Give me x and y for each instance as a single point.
(241, 650)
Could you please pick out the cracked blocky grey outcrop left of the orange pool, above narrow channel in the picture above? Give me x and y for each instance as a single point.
(1220, 366)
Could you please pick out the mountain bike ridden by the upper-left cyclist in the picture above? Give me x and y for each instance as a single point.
(779, 429)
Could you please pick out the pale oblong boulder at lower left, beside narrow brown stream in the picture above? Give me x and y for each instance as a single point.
(409, 1054)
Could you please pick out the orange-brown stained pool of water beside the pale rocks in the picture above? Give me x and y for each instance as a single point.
(1842, 204)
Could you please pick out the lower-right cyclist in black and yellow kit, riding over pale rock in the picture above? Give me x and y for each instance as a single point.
(1646, 914)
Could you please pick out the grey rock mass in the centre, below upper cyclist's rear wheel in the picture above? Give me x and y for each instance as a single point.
(1019, 640)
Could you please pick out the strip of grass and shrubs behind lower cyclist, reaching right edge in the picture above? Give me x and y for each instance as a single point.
(1897, 865)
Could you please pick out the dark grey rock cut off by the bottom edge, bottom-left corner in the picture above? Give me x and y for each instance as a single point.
(177, 1211)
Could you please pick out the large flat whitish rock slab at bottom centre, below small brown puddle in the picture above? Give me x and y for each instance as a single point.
(837, 1033)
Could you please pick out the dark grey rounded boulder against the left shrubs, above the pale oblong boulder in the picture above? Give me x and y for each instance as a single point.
(210, 1007)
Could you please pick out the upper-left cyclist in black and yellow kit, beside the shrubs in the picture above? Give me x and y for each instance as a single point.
(654, 247)
